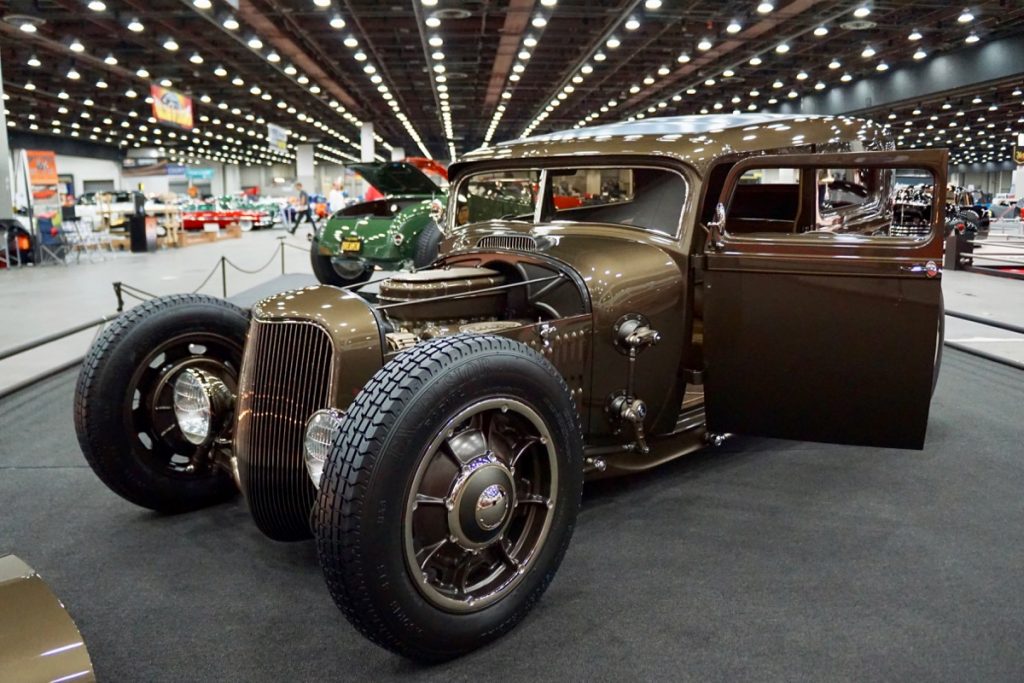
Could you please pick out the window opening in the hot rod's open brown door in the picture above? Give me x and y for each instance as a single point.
(823, 201)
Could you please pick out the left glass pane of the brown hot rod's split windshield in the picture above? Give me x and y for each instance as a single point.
(501, 195)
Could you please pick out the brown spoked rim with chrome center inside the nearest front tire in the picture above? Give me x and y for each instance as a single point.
(481, 506)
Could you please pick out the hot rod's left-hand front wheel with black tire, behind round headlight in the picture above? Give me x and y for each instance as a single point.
(191, 330)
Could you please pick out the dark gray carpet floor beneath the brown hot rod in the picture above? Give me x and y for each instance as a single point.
(759, 561)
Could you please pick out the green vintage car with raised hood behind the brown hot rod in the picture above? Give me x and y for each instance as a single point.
(394, 232)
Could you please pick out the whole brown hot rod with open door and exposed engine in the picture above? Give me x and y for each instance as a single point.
(726, 275)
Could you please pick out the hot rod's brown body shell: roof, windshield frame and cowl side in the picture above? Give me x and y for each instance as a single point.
(649, 273)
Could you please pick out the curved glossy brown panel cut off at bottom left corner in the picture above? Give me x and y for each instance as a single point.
(38, 639)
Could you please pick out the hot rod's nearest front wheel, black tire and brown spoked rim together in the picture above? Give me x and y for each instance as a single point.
(450, 496)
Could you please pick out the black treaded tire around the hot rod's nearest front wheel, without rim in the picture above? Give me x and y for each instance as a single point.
(360, 511)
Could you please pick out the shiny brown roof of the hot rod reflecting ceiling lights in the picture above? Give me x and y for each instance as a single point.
(695, 140)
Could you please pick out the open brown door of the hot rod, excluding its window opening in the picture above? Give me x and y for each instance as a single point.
(829, 338)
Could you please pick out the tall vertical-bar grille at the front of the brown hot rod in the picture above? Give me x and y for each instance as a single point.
(286, 377)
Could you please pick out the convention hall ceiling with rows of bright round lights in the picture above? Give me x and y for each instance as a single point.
(442, 77)
